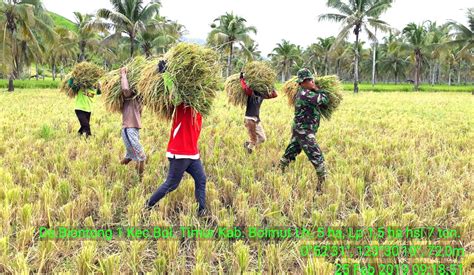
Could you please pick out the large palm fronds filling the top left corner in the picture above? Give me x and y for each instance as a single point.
(22, 24)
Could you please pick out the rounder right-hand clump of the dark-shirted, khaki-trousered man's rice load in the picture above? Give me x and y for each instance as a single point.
(260, 77)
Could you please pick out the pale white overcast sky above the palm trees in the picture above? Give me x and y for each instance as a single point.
(293, 20)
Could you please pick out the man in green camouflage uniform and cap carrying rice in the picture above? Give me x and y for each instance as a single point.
(305, 125)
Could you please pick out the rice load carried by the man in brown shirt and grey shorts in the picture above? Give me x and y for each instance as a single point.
(111, 84)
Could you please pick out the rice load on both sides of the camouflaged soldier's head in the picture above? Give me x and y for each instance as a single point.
(330, 83)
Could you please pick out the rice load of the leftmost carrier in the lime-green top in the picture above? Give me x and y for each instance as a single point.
(85, 75)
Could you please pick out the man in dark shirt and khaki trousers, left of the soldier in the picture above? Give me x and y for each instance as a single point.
(252, 115)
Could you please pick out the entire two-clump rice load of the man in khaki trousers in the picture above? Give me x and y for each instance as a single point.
(259, 76)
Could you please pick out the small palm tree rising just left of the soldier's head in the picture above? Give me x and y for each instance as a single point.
(285, 54)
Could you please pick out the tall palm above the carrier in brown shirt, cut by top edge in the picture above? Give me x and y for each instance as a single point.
(129, 17)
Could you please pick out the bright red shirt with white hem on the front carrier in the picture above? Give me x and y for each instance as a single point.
(185, 133)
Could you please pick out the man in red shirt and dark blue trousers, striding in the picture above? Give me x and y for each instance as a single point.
(183, 155)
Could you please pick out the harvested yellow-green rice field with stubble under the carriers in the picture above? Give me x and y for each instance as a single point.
(399, 159)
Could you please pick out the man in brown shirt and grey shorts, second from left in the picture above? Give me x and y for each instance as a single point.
(131, 125)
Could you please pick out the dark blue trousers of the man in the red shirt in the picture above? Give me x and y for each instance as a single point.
(175, 174)
